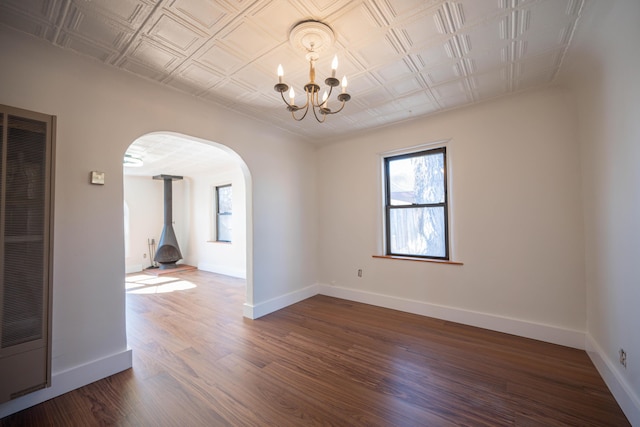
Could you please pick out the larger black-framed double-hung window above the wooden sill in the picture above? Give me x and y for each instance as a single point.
(416, 204)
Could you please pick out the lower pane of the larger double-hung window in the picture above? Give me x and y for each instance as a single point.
(417, 231)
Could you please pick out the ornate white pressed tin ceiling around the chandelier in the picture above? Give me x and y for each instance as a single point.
(403, 58)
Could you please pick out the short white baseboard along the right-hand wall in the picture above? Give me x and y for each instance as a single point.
(628, 400)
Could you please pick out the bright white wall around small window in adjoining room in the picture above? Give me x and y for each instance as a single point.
(209, 255)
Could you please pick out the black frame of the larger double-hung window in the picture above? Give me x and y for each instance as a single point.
(388, 207)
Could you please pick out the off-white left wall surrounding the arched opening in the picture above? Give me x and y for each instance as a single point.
(100, 111)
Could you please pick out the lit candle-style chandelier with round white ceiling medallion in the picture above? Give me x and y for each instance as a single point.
(313, 37)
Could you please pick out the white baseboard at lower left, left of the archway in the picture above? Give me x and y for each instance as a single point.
(64, 382)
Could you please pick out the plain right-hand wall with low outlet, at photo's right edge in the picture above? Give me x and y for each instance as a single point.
(604, 76)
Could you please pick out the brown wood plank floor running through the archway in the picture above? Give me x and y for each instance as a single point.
(323, 361)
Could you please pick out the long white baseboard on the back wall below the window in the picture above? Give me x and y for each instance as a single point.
(541, 332)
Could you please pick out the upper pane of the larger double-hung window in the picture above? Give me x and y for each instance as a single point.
(417, 180)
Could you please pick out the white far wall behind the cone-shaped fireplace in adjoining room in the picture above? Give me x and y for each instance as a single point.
(144, 197)
